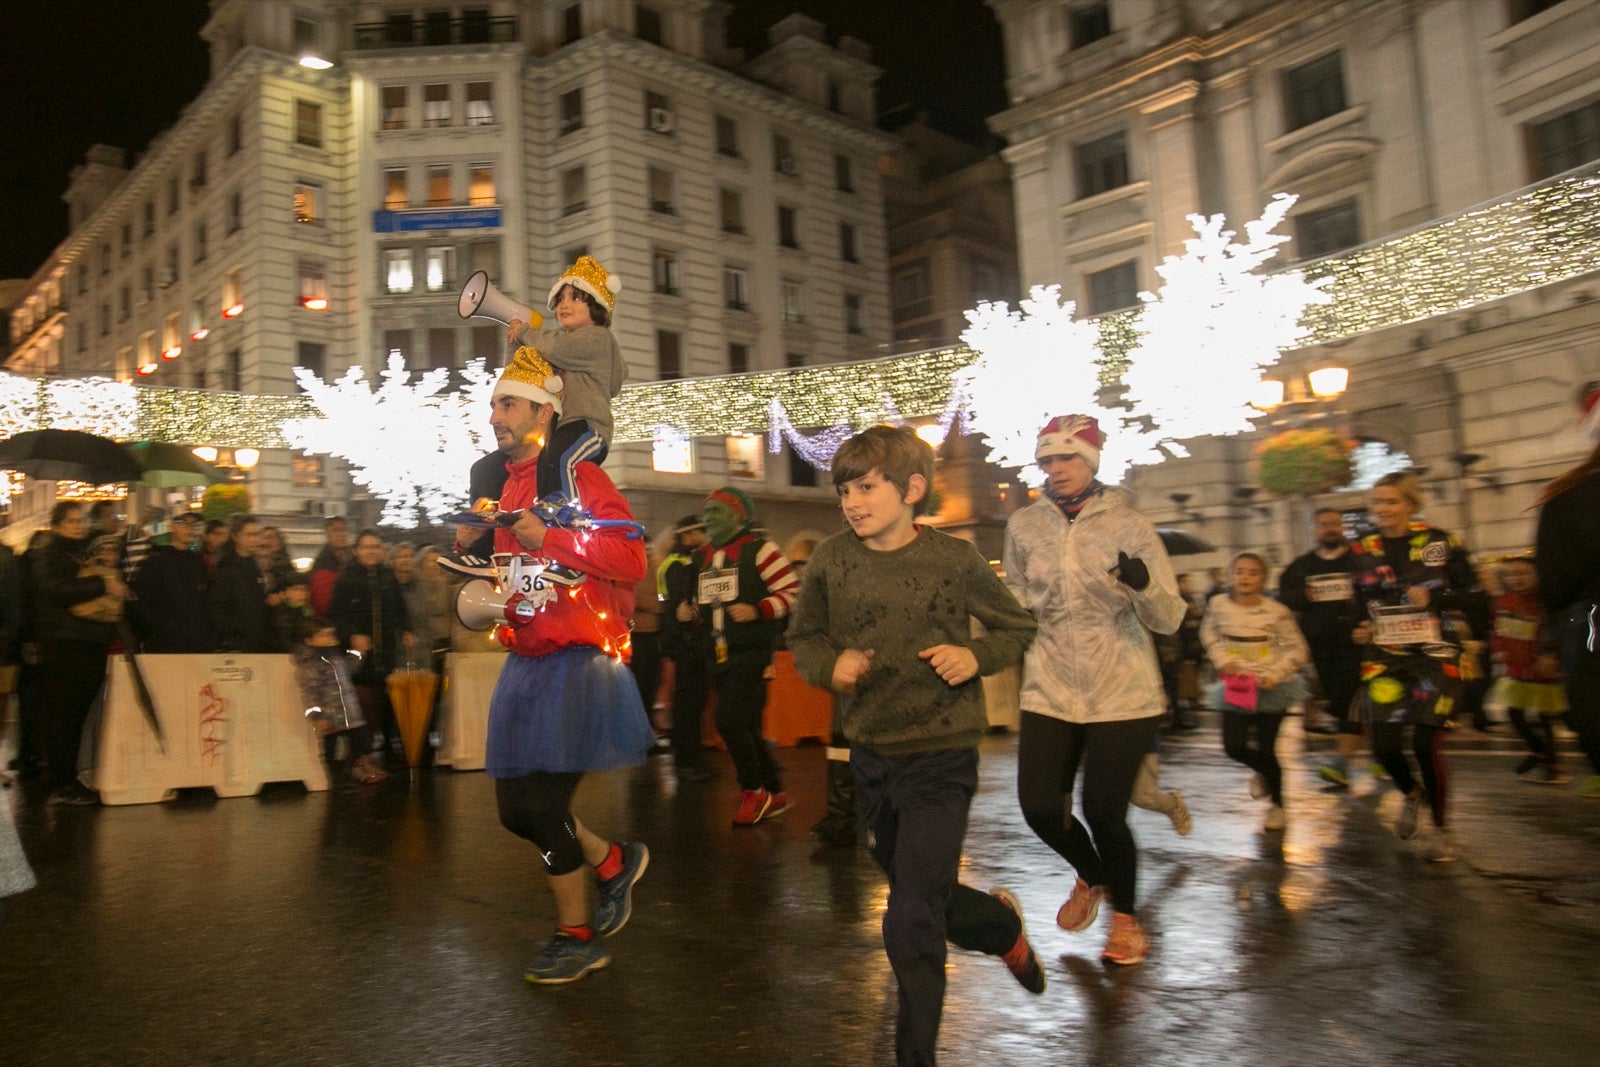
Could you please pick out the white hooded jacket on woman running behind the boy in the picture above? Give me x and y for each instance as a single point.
(1094, 660)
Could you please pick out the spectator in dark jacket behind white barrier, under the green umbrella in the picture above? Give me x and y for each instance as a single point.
(170, 609)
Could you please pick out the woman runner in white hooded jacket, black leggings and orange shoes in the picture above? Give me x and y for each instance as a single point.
(1095, 575)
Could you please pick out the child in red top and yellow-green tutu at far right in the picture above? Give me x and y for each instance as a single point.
(1532, 685)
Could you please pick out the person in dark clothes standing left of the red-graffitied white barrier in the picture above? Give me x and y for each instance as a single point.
(73, 649)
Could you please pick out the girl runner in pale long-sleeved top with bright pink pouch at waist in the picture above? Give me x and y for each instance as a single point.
(1258, 653)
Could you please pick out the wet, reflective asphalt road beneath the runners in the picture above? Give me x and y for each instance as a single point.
(390, 925)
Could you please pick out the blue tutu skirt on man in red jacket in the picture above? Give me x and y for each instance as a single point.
(572, 711)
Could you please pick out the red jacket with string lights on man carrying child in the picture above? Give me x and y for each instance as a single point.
(598, 612)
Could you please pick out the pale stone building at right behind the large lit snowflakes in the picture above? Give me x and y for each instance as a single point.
(1386, 119)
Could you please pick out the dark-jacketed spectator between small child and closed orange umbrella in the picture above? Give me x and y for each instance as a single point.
(369, 610)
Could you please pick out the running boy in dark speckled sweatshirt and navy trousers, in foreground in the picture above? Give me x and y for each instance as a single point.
(886, 621)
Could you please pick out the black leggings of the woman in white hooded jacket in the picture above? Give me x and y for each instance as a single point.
(1049, 757)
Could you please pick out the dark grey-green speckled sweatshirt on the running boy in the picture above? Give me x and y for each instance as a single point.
(898, 604)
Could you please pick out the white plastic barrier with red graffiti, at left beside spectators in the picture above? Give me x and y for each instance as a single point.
(231, 722)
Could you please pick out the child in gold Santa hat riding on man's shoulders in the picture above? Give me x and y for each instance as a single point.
(591, 370)
